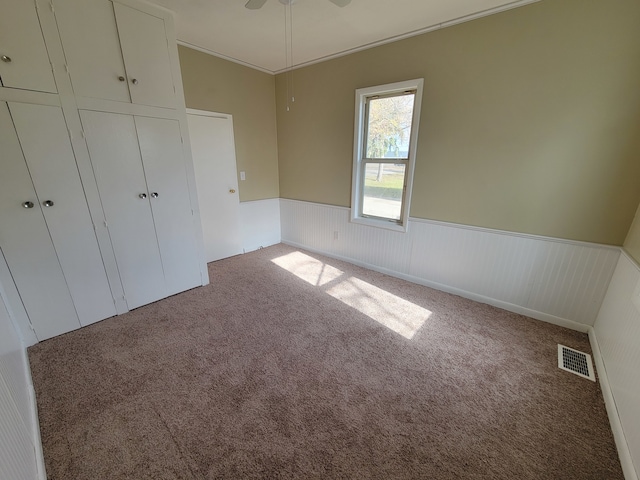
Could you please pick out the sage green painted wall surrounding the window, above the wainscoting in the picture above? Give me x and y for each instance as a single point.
(530, 120)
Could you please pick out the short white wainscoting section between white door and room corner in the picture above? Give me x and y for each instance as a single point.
(260, 223)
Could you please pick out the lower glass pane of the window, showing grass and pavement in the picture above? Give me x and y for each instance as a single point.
(383, 187)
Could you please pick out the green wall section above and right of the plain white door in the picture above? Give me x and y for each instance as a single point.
(217, 85)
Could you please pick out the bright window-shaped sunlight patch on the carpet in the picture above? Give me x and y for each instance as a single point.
(395, 313)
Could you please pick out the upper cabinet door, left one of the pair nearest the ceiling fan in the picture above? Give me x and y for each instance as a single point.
(90, 41)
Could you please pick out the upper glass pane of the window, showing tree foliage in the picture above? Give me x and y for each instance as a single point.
(389, 126)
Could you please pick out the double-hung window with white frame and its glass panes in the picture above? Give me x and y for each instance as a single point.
(386, 134)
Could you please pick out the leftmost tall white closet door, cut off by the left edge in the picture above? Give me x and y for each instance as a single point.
(26, 243)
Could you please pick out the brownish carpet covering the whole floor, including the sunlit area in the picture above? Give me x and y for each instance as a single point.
(293, 365)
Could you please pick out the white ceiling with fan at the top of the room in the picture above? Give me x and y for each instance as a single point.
(320, 29)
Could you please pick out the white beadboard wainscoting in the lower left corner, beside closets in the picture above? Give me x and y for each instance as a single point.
(20, 449)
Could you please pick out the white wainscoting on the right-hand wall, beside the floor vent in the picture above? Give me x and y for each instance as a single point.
(616, 335)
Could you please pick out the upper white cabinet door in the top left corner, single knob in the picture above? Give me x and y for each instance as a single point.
(24, 62)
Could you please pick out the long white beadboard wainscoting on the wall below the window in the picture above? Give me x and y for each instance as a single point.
(559, 281)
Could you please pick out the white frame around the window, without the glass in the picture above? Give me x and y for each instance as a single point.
(357, 182)
